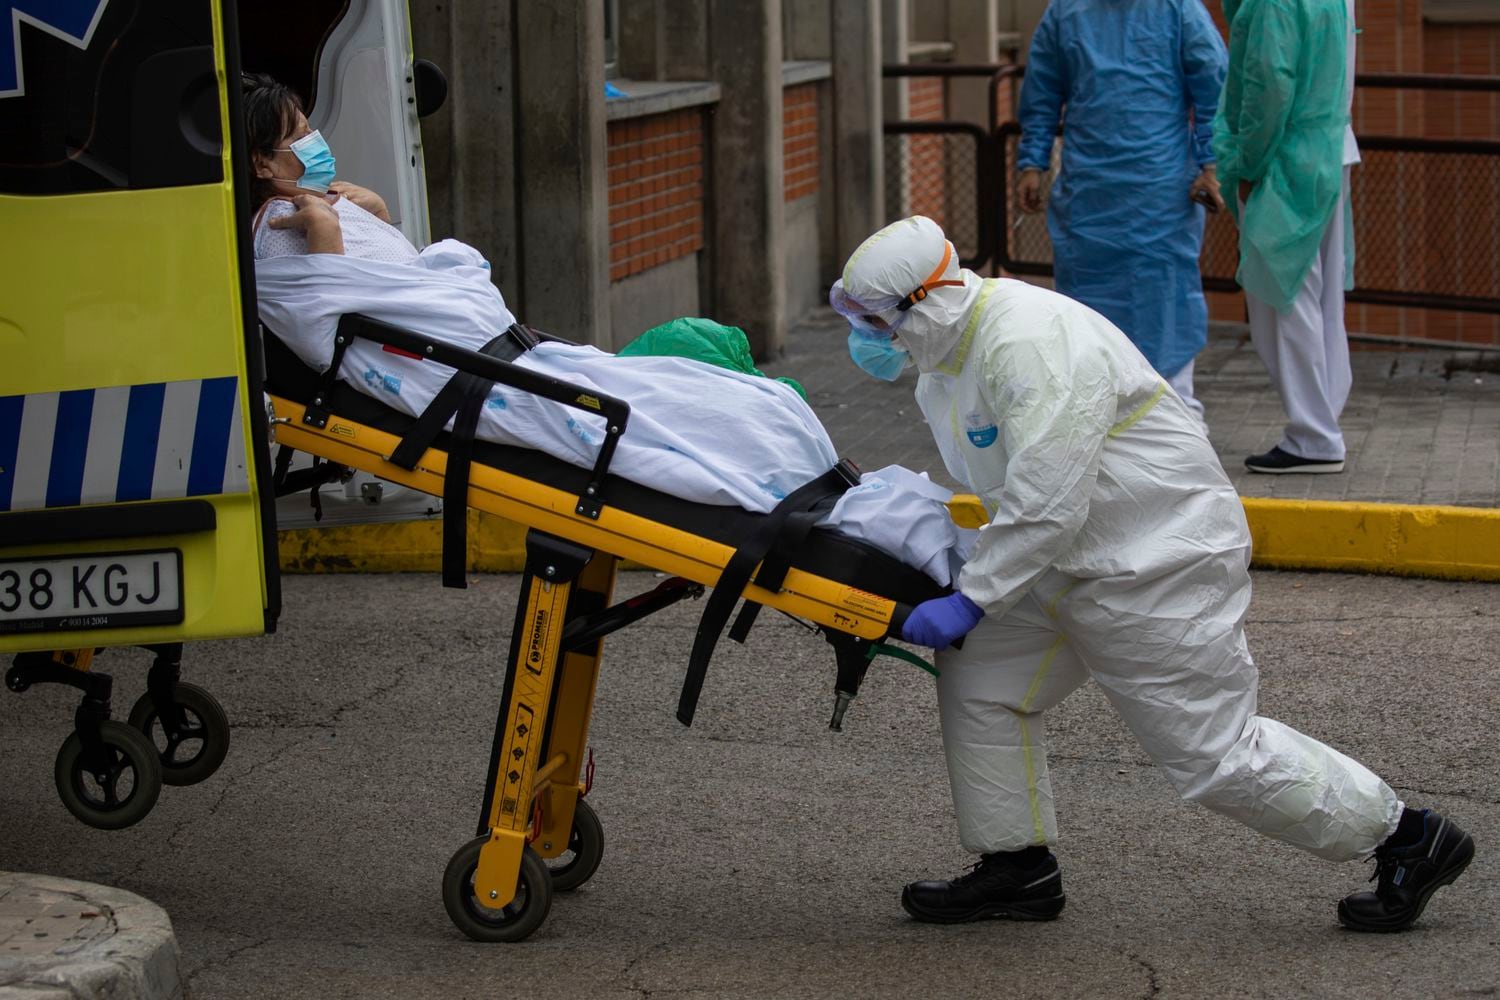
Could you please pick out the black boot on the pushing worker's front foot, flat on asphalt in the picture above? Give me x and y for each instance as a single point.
(1022, 885)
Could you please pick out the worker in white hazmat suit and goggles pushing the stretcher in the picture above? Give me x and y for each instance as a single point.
(1117, 551)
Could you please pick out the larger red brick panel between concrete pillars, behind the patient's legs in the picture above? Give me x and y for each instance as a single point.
(656, 191)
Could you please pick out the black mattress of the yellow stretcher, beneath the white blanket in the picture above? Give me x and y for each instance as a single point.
(826, 552)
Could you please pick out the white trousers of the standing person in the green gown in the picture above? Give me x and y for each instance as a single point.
(1306, 350)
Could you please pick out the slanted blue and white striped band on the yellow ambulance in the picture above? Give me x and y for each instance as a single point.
(125, 443)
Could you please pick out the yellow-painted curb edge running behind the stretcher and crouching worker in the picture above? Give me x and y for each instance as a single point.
(1451, 543)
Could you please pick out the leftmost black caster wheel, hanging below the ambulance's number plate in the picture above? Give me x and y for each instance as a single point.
(113, 786)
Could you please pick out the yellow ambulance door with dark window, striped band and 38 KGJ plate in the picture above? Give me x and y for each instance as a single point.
(133, 427)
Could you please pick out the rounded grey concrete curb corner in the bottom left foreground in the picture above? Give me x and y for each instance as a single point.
(77, 941)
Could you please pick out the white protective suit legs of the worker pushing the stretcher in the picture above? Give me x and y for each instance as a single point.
(1171, 657)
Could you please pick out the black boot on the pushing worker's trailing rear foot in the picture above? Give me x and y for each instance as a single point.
(1426, 854)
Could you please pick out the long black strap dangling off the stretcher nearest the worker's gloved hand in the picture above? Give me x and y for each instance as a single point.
(737, 575)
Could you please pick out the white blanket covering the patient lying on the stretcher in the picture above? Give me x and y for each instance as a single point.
(695, 431)
